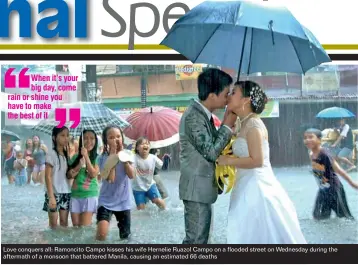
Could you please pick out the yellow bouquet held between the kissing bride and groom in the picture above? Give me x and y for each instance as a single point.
(225, 175)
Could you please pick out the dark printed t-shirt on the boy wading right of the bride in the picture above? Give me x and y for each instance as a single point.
(323, 171)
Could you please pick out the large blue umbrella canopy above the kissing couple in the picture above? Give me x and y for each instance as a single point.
(245, 35)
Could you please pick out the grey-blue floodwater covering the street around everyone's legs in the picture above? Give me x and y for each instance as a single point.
(23, 221)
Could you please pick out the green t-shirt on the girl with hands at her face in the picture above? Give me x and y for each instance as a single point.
(83, 186)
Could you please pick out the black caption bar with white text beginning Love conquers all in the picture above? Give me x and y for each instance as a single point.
(151, 254)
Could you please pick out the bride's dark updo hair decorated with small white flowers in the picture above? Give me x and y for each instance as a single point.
(257, 96)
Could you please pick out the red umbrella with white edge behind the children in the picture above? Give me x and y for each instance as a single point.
(159, 124)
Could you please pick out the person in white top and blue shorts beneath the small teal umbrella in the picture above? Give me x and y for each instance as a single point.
(345, 143)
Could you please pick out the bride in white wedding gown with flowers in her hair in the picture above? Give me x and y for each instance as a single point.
(260, 210)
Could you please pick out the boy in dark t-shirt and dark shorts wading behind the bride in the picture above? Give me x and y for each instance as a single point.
(331, 194)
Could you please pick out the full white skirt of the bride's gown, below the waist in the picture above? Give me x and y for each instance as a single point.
(261, 211)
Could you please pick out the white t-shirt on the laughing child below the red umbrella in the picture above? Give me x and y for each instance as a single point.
(144, 169)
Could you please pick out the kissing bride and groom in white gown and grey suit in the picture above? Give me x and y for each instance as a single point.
(260, 211)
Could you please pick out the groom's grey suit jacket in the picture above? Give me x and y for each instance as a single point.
(200, 146)
